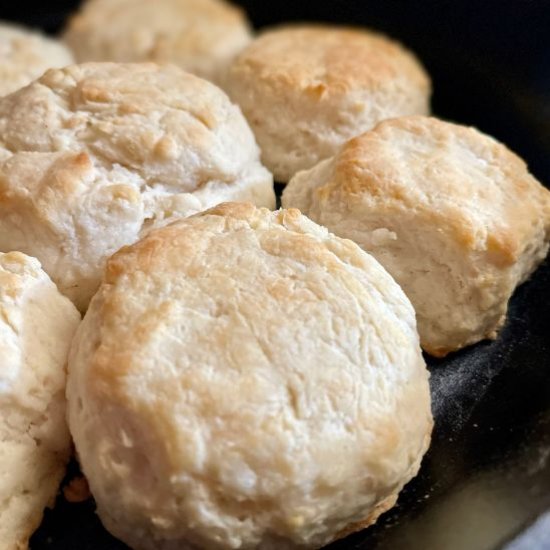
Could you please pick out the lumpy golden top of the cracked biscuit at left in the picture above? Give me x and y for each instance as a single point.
(156, 120)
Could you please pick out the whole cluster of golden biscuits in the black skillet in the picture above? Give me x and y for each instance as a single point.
(243, 377)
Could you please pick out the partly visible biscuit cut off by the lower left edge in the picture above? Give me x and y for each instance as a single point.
(36, 327)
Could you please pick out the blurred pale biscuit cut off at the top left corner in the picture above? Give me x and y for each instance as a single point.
(25, 55)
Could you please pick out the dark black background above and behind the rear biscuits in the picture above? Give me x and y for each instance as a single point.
(489, 60)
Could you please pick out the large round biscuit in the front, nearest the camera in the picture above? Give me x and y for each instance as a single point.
(244, 379)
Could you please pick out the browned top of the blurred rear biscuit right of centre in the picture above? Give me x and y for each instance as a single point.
(324, 60)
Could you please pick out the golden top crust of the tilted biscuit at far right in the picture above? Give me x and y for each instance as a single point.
(471, 184)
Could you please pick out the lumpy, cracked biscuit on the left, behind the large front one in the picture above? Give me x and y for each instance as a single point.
(94, 155)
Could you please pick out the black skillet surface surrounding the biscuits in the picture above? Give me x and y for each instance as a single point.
(485, 483)
